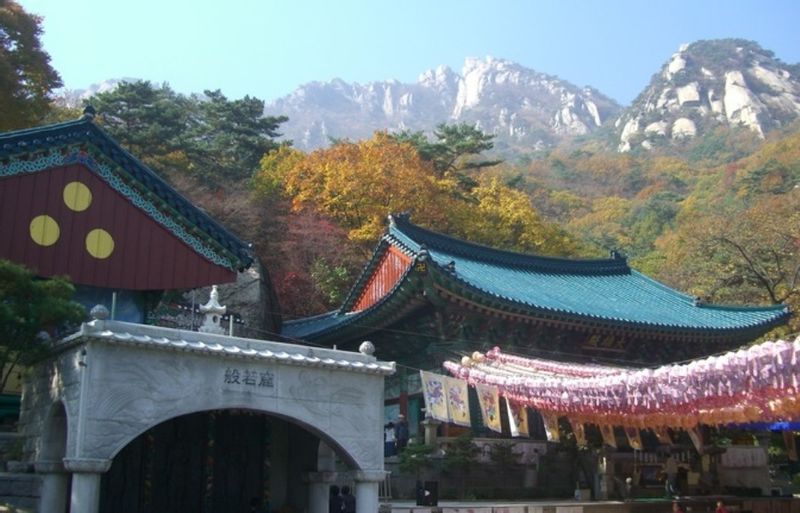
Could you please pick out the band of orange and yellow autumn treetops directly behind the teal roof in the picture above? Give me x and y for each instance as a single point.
(357, 184)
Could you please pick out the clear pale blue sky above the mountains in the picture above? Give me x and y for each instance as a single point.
(267, 48)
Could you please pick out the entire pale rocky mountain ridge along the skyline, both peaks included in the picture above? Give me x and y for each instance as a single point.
(704, 85)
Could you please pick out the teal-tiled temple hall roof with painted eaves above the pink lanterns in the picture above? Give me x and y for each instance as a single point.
(424, 297)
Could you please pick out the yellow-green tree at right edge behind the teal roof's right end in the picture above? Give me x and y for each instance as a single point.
(740, 254)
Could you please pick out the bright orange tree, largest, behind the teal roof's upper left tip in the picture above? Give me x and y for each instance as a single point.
(357, 184)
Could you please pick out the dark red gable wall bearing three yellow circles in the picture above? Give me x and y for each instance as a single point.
(145, 256)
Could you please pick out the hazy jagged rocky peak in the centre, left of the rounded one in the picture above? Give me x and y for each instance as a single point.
(523, 107)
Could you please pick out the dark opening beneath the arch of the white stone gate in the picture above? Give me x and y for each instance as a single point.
(201, 441)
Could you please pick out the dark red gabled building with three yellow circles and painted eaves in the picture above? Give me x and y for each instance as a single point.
(74, 203)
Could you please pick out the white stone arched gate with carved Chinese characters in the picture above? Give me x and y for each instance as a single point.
(112, 381)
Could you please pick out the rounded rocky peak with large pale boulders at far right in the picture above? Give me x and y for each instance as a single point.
(708, 83)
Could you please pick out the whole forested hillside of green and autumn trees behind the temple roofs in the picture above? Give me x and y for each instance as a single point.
(718, 216)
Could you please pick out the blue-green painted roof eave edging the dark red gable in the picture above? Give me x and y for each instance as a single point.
(82, 141)
